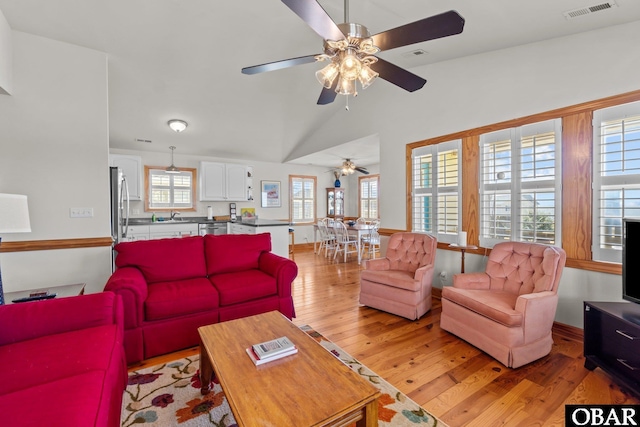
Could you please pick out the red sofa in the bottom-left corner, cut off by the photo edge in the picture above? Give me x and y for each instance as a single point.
(63, 362)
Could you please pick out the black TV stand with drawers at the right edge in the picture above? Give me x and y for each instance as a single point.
(612, 341)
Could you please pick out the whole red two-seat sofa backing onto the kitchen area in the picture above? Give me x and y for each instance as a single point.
(171, 287)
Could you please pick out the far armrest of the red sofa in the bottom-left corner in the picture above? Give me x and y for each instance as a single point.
(30, 320)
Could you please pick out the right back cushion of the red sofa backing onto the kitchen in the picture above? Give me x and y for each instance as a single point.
(234, 252)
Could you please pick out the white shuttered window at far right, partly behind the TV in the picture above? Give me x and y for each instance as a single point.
(616, 177)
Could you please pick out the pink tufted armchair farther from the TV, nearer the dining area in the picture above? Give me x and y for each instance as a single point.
(400, 283)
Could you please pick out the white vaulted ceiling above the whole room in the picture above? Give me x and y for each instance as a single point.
(182, 59)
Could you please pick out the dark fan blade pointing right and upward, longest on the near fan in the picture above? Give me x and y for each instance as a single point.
(435, 27)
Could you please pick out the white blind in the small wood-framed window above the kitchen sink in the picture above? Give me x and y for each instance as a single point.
(173, 191)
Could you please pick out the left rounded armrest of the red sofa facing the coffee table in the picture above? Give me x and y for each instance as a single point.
(131, 285)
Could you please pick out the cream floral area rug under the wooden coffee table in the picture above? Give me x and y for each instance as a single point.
(169, 395)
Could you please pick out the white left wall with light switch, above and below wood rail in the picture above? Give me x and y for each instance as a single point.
(54, 145)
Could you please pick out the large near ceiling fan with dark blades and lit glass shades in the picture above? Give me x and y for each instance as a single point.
(350, 49)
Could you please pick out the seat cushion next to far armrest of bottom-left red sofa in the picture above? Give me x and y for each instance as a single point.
(53, 357)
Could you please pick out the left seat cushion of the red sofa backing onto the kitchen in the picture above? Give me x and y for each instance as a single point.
(177, 298)
